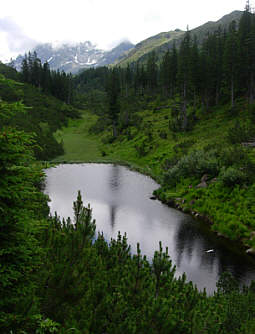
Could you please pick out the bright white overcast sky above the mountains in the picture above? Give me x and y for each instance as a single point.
(104, 22)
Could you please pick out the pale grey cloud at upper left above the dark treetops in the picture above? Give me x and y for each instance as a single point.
(15, 39)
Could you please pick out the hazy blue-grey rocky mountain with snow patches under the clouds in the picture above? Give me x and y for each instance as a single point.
(73, 58)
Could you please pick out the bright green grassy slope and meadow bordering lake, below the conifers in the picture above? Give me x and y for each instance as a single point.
(151, 146)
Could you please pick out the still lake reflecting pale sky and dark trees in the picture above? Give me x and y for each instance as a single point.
(120, 200)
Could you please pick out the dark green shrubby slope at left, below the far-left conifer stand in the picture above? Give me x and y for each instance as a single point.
(44, 114)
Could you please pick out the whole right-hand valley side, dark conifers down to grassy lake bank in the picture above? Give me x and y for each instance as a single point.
(189, 119)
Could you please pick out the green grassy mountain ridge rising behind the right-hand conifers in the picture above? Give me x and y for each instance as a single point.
(163, 41)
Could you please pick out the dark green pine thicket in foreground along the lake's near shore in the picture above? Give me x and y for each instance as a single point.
(102, 287)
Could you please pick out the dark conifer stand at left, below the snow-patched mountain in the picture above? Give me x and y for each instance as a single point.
(58, 84)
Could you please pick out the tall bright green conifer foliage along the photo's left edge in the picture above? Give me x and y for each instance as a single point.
(22, 206)
